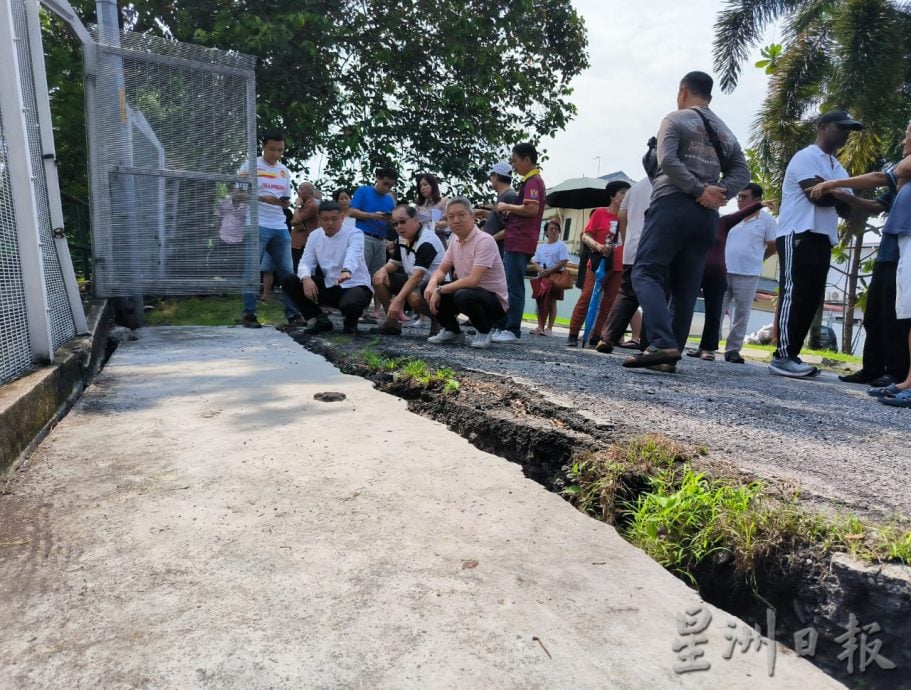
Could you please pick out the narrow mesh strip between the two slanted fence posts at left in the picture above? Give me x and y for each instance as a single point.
(63, 327)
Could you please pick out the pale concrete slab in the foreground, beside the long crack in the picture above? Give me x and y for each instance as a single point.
(200, 519)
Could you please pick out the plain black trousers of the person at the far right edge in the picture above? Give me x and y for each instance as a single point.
(886, 344)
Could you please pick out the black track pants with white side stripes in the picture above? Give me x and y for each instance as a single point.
(803, 266)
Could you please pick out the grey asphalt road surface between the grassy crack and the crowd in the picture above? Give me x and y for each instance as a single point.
(840, 446)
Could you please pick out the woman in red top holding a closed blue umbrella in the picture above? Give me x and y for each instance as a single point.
(600, 236)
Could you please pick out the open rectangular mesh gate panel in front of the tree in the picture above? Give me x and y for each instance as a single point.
(170, 210)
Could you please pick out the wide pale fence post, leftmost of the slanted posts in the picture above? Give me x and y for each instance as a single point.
(22, 184)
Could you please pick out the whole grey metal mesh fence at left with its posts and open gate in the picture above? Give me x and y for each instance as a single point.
(169, 126)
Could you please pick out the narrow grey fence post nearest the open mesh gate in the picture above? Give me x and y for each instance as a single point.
(49, 156)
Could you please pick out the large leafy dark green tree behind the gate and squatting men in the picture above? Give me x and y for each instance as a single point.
(445, 86)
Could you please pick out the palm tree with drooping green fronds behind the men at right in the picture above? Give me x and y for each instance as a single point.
(847, 54)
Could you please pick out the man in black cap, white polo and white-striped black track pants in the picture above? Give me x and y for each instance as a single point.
(807, 231)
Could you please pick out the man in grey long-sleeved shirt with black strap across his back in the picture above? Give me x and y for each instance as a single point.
(701, 169)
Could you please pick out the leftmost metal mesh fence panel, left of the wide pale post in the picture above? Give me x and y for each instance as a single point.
(15, 352)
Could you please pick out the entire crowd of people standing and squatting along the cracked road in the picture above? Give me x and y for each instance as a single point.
(646, 254)
